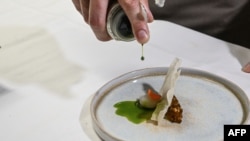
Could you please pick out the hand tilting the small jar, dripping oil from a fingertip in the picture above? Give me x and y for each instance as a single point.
(94, 13)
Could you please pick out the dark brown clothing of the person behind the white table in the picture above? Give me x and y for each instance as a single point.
(224, 19)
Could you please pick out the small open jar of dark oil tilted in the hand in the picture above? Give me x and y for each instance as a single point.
(118, 25)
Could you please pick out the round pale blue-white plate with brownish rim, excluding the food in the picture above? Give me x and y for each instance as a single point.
(208, 102)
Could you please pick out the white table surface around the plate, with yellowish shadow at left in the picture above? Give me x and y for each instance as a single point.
(51, 64)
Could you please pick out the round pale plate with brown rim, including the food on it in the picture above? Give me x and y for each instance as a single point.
(167, 103)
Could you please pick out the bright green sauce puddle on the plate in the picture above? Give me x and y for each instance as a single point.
(132, 111)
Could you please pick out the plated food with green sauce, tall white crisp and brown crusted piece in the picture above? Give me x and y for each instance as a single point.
(155, 107)
